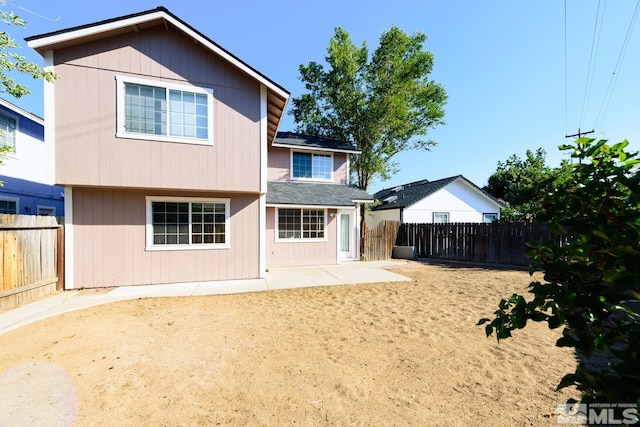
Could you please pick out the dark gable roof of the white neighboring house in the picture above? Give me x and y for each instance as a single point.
(406, 195)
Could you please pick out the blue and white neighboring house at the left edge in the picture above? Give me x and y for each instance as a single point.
(25, 173)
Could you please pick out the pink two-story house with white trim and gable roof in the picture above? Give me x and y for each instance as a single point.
(167, 146)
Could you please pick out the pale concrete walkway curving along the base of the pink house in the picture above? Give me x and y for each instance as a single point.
(277, 278)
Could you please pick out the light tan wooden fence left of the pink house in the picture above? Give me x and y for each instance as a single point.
(31, 254)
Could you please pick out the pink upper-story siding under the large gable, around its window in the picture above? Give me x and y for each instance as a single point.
(87, 151)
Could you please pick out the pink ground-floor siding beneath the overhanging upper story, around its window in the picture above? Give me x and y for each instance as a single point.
(109, 242)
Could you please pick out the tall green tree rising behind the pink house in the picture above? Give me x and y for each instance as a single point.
(383, 103)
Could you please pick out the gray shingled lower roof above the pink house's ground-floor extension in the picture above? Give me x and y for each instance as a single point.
(314, 194)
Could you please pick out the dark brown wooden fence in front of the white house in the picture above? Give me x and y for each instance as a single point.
(494, 243)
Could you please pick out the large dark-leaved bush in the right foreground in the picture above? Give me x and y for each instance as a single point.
(591, 285)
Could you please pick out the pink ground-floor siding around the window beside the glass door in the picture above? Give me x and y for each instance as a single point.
(291, 254)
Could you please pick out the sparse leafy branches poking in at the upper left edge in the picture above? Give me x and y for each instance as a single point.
(11, 62)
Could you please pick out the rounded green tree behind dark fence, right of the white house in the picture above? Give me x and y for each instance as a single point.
(523, 182)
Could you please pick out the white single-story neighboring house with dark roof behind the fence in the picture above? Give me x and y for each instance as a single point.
(453, 199)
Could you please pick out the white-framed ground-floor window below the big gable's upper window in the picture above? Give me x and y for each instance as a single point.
(187, 223)
